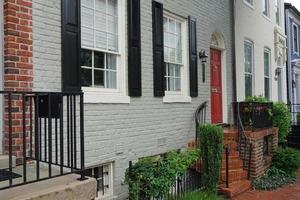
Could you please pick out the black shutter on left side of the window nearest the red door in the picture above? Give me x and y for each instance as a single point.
(158, 50)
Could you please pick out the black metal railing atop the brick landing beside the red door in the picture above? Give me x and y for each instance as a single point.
(253, 115)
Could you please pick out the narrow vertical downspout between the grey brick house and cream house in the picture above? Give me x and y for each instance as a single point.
(234, 93)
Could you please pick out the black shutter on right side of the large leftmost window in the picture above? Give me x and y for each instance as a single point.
(134, 49)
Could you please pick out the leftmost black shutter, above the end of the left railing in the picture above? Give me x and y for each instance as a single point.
(71, 81)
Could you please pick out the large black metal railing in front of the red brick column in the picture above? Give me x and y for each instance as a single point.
(51, 128)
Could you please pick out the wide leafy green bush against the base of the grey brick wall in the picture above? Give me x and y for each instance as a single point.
(153, 176)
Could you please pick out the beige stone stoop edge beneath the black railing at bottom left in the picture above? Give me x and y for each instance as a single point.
(60, 188)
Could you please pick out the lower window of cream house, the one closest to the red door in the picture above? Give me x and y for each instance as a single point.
(248, 58)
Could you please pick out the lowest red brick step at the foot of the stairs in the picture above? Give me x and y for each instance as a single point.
(235, 188)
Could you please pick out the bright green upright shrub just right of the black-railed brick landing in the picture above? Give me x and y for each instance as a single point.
(282, 119)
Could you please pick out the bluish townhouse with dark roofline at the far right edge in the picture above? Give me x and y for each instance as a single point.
(292, 20)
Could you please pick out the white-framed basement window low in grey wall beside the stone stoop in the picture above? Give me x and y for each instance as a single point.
(104, 177)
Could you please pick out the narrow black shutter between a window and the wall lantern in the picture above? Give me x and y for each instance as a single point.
(193, 57)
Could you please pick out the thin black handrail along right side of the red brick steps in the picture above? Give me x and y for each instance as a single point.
(244, 144)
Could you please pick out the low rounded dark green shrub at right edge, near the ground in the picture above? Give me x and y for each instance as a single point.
(287, 160)
